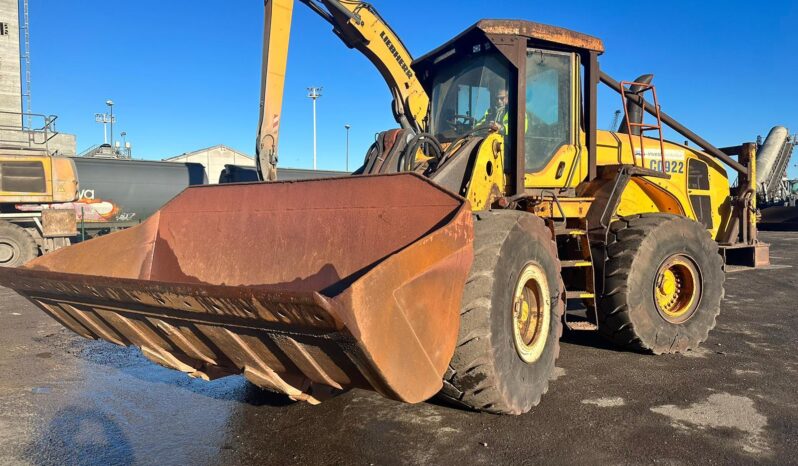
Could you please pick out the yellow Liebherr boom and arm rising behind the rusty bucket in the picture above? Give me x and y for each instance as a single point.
(359, 26)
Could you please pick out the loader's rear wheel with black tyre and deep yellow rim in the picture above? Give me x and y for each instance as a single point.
(663, 284)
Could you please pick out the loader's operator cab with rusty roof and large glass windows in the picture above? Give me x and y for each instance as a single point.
(522, 80)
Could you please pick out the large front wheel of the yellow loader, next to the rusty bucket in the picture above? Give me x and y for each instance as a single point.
(503, 321)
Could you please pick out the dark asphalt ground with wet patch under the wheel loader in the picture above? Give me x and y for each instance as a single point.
(65, 400)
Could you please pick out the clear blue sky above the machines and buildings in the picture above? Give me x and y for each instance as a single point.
(186, 74)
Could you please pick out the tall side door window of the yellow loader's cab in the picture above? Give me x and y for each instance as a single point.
(549, 77)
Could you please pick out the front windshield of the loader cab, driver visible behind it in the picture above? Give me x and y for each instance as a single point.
(470, 94)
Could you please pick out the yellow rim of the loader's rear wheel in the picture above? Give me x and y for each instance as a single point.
(677, 289)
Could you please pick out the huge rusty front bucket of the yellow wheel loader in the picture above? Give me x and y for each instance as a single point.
(304, 287)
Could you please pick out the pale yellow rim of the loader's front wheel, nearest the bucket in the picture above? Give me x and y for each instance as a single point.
(531, 313)
